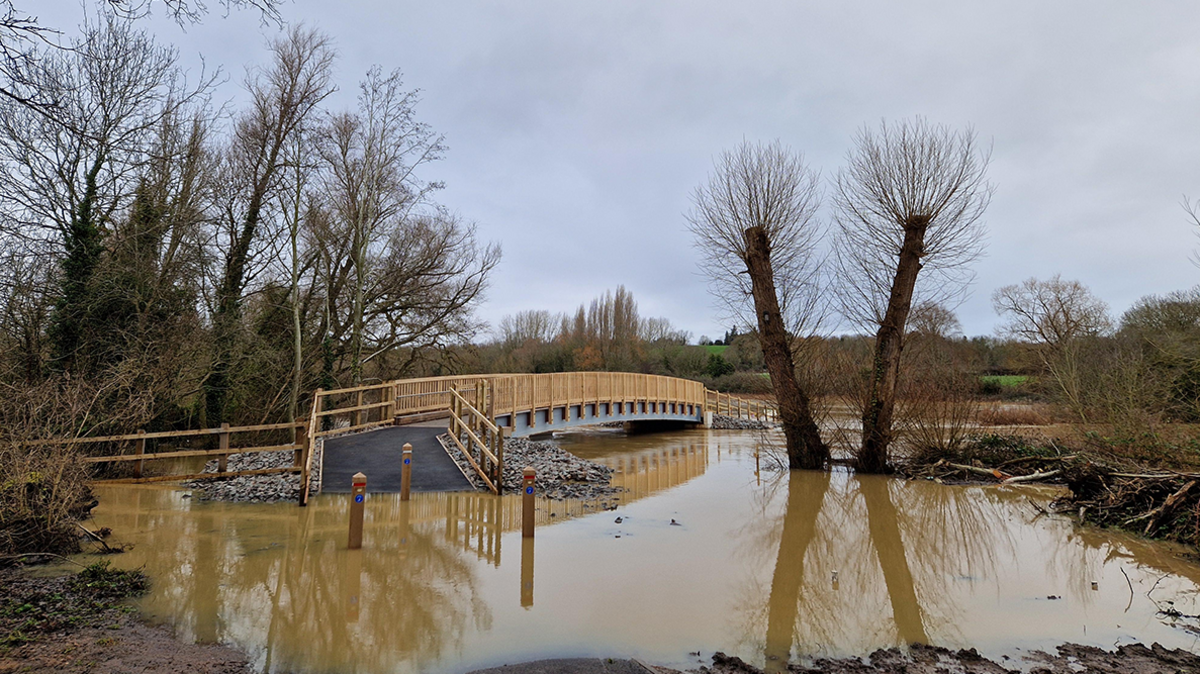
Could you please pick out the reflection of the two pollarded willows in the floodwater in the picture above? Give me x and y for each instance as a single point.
(851, 550)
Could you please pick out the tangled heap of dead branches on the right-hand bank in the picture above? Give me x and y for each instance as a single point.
(1159, 504)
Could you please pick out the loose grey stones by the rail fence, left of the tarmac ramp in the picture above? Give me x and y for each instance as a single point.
(259, 489)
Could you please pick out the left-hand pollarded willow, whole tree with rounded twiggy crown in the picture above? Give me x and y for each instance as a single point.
(755, 225)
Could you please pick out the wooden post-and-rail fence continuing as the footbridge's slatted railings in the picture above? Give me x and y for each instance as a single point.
(472, 404)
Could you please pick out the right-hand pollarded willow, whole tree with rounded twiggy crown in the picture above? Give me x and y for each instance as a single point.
(909, 210)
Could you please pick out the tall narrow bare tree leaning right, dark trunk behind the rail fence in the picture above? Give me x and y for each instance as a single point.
(283, 98)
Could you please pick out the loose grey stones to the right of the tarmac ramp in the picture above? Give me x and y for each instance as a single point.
(561, 474)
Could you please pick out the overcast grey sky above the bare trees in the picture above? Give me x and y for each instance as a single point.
(578, 130)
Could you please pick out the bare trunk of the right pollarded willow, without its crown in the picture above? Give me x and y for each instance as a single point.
(889, 345)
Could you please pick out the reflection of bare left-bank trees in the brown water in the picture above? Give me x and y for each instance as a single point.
(221, 576)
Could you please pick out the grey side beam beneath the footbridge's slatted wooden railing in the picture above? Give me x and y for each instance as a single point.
(545, 420)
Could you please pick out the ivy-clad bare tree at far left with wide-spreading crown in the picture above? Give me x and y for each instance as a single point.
(69, 173)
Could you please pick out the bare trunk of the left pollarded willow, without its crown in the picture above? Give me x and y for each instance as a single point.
(805, 446)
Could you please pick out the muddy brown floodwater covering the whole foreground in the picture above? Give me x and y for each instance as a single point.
(769, 567)
